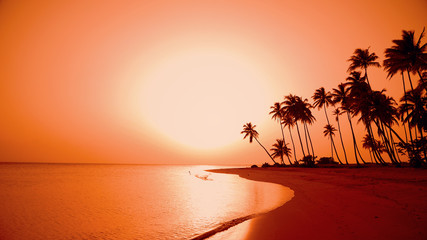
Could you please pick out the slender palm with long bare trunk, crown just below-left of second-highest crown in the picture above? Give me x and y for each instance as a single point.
(342, 95)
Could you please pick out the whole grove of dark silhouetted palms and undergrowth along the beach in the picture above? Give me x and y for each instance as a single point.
(380, 114)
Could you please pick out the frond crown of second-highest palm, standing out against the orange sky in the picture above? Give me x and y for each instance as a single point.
(363, 59)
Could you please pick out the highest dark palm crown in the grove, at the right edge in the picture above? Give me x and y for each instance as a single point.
(406, 55)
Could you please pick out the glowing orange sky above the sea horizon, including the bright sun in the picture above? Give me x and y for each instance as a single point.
(125, 81)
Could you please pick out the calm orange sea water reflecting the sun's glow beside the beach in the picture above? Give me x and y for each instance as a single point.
(61, 201)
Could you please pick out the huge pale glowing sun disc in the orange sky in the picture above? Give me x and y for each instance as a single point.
(201, 98)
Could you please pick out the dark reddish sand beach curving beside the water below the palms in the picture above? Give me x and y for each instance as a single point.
(343, 203)
